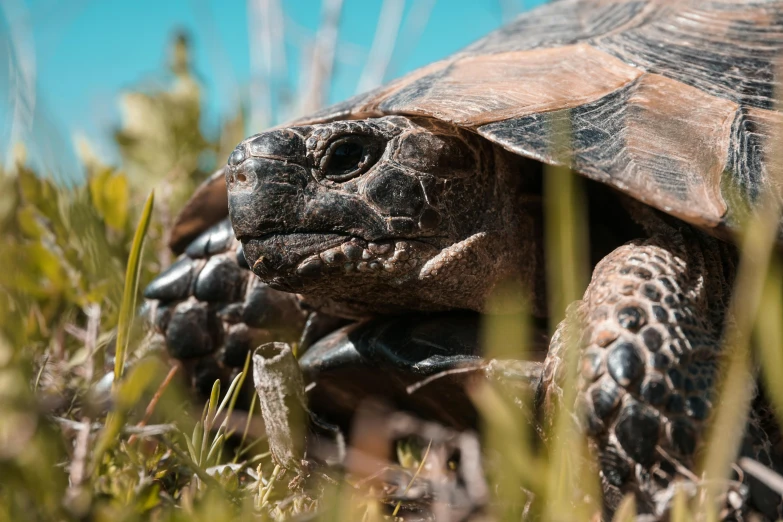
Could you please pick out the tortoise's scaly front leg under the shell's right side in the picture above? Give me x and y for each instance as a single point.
(650, 322)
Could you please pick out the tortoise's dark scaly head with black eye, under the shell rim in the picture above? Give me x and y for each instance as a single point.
(376, 214)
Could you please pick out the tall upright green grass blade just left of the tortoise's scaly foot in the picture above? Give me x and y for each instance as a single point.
(128, 305)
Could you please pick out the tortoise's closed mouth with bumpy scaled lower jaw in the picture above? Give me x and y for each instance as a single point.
(287, 261)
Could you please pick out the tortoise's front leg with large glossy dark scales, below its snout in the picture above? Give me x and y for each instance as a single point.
(211, 310)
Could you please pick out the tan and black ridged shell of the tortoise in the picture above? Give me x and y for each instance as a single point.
(672, 103)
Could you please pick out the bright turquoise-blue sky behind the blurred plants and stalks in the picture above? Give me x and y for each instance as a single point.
(84, 53)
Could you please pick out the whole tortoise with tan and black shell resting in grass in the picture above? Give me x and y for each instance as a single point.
(412, 203)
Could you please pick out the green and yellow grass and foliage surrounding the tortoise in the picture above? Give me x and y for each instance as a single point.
(77, 442)
